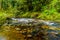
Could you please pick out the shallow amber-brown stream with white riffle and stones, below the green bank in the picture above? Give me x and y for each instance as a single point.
(21, 31)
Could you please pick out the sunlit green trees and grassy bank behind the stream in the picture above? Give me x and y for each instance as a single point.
(42, 9)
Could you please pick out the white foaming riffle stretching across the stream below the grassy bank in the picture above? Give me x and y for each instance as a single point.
(34, 23)
